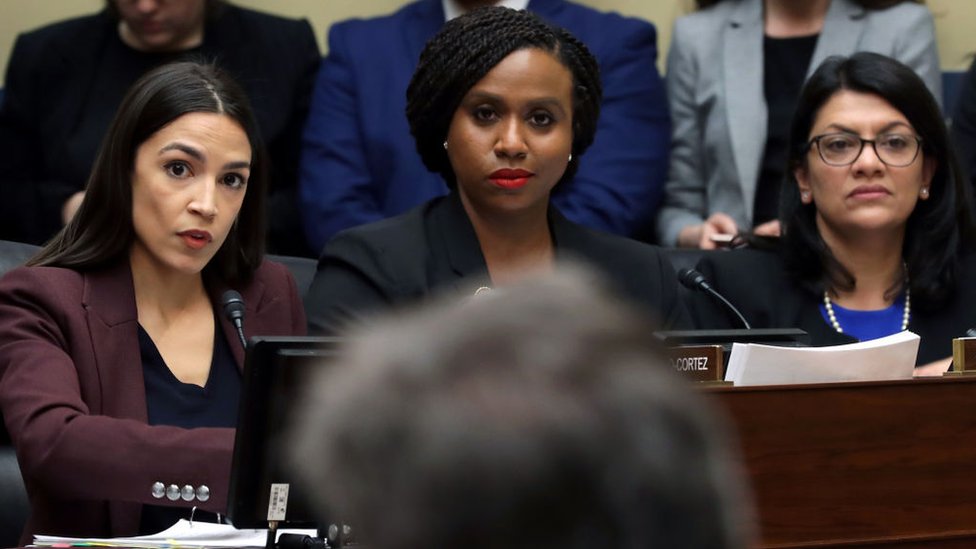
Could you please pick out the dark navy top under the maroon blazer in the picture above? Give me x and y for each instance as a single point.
(172, 402)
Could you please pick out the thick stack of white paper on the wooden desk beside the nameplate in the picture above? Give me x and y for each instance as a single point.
(891, 357)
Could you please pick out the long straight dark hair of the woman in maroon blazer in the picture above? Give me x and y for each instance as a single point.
(102, 232)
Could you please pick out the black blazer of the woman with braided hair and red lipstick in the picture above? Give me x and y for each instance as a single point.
(433, 248)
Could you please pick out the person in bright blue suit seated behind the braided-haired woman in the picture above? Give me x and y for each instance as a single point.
(360, 165)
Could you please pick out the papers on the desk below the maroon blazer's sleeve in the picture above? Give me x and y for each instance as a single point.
(182, 534)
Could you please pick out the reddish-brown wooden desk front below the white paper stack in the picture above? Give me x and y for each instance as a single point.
(860, 464)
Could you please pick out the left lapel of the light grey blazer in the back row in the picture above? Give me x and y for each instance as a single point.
(745, 101)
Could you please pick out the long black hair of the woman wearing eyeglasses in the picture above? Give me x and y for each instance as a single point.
(937, 230)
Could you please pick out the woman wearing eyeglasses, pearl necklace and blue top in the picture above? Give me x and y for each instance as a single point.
(877, 219)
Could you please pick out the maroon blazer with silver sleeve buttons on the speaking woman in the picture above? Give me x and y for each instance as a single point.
(74, 400)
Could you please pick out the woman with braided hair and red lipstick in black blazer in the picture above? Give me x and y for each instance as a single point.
(503, 126)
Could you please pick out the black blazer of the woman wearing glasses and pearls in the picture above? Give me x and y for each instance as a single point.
(757, 283)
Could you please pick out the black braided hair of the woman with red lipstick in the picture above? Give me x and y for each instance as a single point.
(465, 50)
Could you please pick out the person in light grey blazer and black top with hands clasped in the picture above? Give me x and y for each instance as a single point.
(735, 70)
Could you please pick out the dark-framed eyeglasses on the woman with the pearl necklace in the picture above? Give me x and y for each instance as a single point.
(842, 149)
